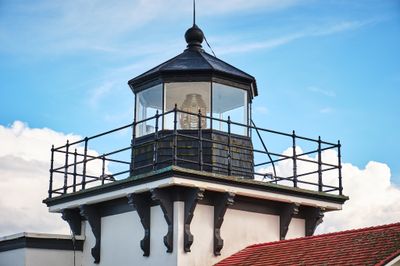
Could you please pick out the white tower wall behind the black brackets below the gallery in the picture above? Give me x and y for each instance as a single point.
(121, 235)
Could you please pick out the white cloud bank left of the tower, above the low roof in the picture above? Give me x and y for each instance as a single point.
(24, 178)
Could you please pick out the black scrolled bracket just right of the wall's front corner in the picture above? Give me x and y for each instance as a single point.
(192, 196)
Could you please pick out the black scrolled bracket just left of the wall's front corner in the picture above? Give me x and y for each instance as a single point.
(163, 197)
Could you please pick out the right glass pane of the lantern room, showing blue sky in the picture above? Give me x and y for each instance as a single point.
(232, 102)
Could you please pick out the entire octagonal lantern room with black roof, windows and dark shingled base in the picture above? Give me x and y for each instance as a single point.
(197, 109)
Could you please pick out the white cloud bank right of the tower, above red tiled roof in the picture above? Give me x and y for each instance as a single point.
(374, 200)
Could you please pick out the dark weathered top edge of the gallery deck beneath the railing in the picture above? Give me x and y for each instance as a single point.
(198, 176)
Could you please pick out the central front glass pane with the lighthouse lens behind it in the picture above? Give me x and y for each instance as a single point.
(189, 97)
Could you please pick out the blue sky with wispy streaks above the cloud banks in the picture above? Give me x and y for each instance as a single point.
(329, 68)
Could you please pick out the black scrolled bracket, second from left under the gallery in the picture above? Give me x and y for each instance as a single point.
(92, 215)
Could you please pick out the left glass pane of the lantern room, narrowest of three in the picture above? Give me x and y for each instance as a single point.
(147, 103)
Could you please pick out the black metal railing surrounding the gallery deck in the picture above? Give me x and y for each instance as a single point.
(76, 166)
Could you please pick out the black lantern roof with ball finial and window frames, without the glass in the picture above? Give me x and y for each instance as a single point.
(195, 65)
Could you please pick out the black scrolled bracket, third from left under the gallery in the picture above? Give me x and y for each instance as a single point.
(141, 202)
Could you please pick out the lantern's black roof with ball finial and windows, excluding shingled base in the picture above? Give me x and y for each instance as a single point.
(194, 81)
